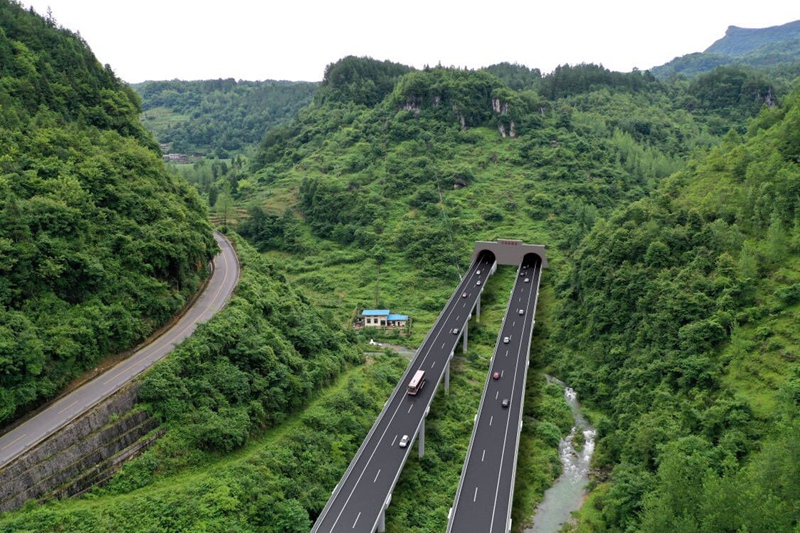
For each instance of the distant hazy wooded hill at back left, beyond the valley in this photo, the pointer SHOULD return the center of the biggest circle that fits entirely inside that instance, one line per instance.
(218, 118)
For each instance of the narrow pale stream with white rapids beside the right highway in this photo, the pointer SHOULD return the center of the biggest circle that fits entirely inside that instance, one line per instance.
(567, 493)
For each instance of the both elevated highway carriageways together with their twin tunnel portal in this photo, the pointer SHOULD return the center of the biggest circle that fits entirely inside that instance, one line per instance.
(485, 492)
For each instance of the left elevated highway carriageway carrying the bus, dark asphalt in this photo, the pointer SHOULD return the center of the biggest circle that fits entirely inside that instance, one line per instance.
(360, 496)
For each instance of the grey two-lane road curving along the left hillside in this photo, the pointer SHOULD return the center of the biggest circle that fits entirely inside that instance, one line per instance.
(220, 286)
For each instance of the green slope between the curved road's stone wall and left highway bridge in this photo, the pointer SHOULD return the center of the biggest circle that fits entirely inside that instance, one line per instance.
(242, 374)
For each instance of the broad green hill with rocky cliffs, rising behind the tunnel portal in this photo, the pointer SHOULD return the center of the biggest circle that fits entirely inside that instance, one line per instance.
(375, 177)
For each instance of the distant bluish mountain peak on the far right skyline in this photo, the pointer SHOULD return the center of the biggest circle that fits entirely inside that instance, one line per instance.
(777, 47)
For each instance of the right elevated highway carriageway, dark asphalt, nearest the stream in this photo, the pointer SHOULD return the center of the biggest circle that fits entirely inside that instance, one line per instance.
(483, 499)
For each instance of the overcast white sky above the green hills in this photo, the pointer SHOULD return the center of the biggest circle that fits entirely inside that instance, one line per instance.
(295, 39)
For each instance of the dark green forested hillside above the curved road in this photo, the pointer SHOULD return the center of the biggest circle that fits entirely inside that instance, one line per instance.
(99, 245)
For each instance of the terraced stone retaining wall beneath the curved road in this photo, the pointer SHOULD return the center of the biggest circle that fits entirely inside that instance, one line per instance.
(85, 452)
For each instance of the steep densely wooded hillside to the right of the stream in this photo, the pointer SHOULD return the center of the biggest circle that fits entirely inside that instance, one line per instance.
(675, 320)
